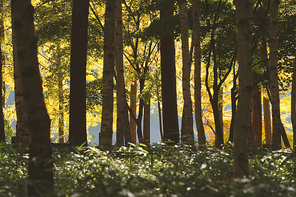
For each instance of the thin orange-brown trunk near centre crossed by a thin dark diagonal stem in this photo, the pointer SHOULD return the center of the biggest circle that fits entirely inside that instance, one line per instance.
(133, 105)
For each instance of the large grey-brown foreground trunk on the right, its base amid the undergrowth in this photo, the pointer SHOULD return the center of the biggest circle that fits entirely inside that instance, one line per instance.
(244, 15)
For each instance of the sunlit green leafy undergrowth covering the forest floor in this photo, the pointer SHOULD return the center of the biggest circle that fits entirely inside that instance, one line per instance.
(160, 171)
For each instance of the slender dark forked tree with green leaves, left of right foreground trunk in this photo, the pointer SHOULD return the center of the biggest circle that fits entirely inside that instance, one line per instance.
(218, 63)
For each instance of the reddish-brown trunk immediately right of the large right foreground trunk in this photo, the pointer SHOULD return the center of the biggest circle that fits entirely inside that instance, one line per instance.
(257, 117)
